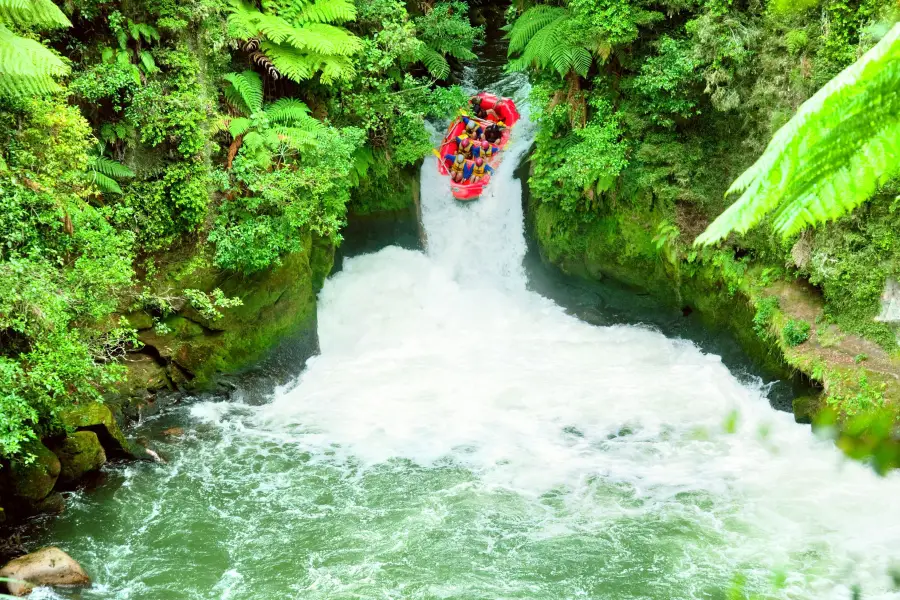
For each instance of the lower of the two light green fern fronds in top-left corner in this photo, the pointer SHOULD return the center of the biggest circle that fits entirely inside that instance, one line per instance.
(27, 67)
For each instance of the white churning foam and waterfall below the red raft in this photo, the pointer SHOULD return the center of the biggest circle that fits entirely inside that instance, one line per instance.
(445, 358)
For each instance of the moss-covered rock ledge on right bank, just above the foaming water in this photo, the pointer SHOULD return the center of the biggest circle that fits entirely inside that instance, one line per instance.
(769, 316)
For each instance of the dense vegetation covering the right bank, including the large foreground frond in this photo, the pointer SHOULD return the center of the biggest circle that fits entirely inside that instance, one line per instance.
(650, 111)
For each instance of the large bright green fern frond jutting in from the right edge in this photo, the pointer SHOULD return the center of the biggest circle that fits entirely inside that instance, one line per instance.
(842, 144)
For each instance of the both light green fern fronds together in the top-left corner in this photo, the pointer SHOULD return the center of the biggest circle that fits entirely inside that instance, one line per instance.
(26, 66)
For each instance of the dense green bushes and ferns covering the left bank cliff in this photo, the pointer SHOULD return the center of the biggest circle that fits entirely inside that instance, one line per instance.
(225, 129)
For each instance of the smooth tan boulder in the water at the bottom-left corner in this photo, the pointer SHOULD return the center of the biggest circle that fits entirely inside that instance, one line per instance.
(47, 566)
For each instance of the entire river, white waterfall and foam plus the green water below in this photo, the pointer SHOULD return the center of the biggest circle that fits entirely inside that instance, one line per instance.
(461, 437)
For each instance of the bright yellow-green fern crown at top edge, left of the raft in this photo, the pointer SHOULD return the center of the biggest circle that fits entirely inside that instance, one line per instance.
(297, 39)
